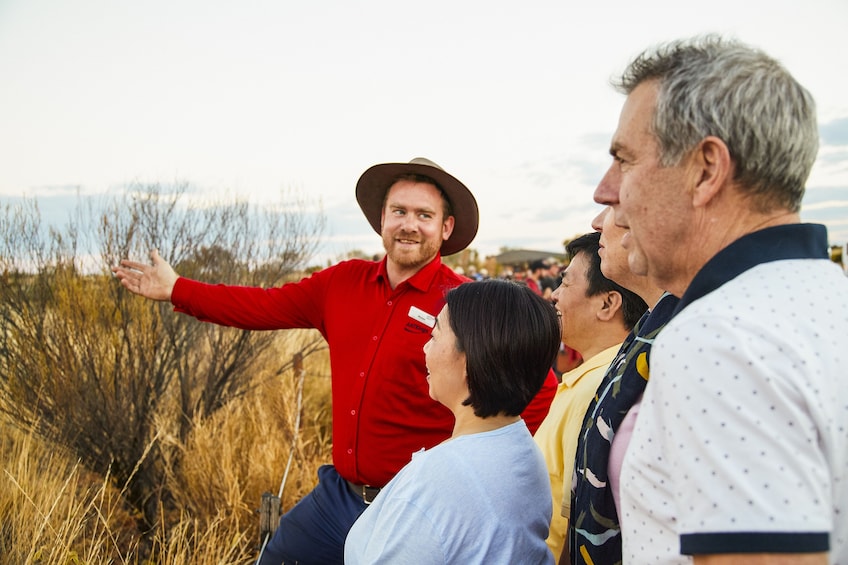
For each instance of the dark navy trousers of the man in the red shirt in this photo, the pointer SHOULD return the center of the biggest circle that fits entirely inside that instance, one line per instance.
(313, 532)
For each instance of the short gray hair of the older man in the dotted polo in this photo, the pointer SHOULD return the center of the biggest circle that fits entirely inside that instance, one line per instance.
(709, 86)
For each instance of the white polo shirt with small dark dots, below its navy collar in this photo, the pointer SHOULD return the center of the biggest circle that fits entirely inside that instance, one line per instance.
(741, 444)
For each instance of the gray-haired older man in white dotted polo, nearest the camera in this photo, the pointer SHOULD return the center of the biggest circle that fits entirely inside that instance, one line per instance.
(740, 450)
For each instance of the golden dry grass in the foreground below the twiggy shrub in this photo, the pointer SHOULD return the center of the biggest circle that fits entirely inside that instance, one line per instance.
(56, 512)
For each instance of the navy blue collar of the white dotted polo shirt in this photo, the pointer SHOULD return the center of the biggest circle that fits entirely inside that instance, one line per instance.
(778, 243)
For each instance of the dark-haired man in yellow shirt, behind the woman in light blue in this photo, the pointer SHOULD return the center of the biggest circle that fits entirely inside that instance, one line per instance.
(597, 314)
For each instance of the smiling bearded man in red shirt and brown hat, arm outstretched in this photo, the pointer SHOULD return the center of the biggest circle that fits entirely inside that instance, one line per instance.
(376, 317)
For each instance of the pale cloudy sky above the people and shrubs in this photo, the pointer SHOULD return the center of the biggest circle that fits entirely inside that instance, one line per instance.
(254, 97)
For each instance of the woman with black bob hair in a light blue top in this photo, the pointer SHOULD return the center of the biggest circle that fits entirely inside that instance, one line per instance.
(483, 495)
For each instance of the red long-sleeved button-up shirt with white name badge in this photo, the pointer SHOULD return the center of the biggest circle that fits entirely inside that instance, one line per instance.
(382, 411)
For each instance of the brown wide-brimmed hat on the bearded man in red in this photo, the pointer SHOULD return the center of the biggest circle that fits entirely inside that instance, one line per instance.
(375, 182)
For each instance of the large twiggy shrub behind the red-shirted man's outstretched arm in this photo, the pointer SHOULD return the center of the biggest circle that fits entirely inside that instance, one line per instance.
(106, 374)
